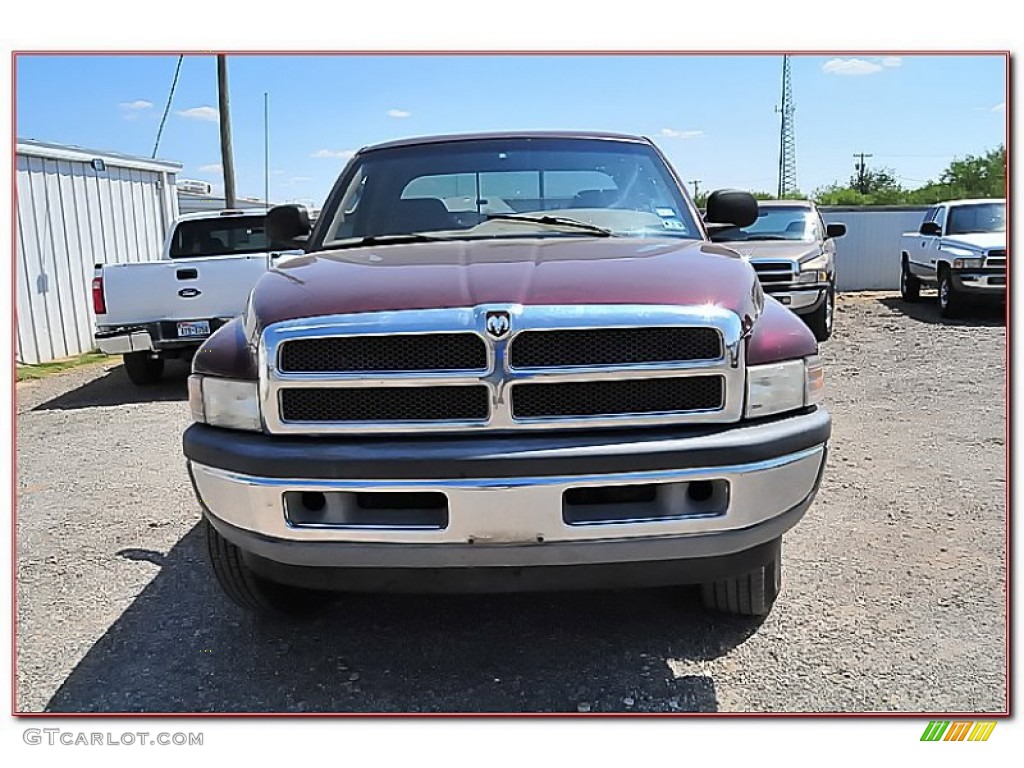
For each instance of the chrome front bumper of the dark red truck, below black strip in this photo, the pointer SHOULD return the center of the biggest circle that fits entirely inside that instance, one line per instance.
(515, 522)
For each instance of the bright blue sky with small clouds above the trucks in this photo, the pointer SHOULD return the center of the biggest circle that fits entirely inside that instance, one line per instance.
(713, 116)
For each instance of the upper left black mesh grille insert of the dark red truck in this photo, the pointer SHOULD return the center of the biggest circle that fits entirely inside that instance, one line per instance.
(395, 353)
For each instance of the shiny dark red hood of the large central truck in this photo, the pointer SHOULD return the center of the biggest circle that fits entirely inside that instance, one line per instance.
(553, 271)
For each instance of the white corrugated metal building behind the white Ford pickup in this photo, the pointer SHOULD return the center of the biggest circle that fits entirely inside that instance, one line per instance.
(77, 208)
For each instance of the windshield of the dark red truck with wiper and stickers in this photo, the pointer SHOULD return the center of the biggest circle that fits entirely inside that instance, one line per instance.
(514, 188)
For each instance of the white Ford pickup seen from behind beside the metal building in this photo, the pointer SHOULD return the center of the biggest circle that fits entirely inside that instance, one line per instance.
(149, 312)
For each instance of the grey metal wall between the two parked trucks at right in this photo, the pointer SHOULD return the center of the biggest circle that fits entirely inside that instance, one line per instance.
(868, 258)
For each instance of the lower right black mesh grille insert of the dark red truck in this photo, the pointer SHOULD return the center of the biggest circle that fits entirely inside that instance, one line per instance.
(616, 398)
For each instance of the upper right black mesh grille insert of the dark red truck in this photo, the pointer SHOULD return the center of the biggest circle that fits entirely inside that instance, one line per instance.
(614, 347)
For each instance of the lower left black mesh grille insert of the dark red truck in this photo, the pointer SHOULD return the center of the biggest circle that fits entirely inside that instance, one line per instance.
(386, 404)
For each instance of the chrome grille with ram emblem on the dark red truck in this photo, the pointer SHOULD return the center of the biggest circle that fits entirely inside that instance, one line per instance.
(443, 370)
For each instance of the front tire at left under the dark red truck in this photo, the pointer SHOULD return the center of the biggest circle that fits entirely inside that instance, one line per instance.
(253, 593)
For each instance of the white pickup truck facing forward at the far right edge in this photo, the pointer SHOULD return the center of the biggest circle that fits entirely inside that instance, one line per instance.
(961, 248)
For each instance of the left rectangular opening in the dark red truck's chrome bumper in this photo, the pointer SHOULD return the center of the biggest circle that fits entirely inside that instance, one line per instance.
(340, 509)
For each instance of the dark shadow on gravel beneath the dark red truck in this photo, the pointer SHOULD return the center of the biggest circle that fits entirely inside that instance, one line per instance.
(182, 647)
